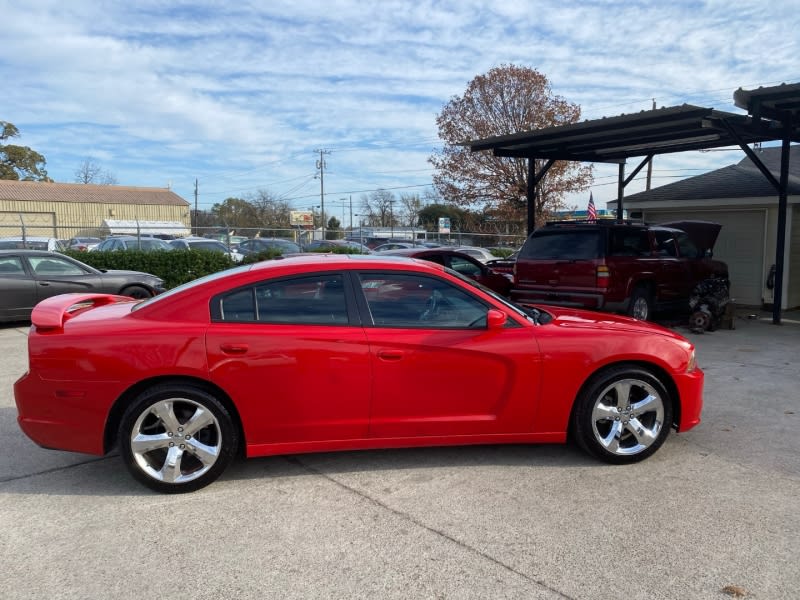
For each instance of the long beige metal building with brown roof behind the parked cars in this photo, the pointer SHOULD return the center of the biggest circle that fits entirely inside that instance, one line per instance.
(65, 210)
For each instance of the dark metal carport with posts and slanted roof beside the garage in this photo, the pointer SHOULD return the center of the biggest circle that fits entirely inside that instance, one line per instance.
(773, 114)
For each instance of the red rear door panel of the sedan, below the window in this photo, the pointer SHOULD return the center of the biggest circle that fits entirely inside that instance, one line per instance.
(293, 383)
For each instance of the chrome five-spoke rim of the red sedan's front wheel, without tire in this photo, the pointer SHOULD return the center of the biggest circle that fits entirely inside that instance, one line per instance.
(627, 417)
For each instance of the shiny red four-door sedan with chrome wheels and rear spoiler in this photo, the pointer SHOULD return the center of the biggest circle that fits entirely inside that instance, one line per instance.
(331, 352)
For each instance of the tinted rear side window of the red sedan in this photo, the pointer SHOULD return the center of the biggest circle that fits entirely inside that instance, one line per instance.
(317, 300)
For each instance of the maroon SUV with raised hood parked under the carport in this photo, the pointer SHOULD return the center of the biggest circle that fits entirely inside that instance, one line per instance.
(623, 267)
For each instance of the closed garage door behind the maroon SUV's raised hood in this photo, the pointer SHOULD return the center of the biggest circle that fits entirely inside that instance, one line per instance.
(740, 244)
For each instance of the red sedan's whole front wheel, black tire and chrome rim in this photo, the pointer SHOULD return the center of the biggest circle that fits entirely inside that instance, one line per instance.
(622, 415)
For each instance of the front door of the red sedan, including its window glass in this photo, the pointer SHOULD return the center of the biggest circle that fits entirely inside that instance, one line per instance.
(437, 370)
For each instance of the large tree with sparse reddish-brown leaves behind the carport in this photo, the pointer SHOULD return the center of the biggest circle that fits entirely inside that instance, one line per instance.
(508, 99)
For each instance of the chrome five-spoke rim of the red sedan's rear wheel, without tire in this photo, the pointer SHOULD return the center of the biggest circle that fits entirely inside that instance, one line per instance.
(176, 440)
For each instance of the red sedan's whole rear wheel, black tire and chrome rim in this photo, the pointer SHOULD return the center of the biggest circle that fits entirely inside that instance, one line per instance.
(177, 438)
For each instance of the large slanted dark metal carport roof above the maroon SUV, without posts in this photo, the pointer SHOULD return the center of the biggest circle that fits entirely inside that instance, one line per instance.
(614, 139)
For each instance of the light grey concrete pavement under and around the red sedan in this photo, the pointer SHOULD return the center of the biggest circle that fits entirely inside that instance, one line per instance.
(713, 512)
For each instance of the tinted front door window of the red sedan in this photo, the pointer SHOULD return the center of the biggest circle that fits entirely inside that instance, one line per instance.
(400, 300)
